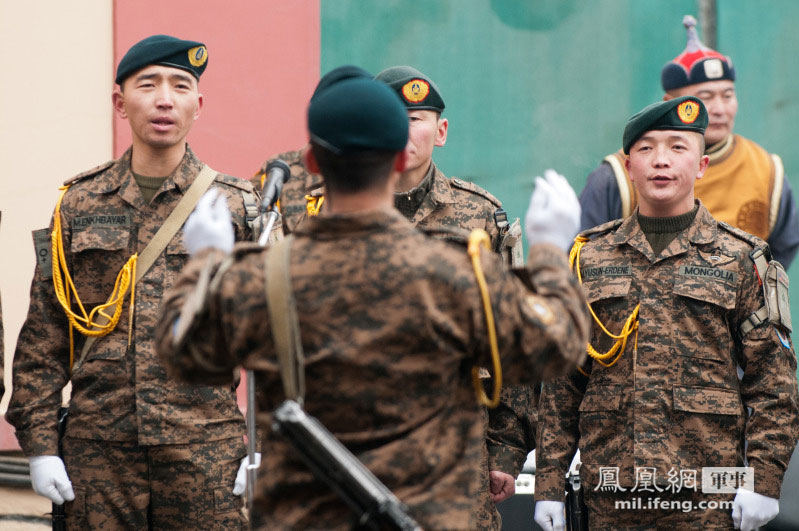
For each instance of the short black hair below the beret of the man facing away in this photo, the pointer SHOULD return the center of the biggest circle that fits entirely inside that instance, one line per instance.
(353, 171)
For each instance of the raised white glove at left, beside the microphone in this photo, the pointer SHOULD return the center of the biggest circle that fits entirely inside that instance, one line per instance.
(210, 225)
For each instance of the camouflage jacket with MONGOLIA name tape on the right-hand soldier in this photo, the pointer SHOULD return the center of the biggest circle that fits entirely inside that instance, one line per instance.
(676, 400)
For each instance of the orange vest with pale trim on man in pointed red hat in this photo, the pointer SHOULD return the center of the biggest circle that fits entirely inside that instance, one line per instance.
(742, 185)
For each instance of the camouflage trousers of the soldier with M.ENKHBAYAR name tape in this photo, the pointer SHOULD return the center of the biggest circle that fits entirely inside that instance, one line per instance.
(126, 486)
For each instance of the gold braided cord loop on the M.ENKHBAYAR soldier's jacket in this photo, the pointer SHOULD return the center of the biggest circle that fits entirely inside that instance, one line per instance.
(87, 324)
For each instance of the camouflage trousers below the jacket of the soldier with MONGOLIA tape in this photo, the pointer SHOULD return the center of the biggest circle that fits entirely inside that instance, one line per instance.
(644, 511)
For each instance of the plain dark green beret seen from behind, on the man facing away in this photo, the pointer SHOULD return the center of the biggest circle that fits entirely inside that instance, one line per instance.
(358, 114)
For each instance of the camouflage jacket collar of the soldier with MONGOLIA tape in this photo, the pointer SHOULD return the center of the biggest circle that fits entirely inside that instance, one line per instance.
(702, 230)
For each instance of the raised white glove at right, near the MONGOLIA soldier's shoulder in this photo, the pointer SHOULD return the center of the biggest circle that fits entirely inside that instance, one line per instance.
(554, 212)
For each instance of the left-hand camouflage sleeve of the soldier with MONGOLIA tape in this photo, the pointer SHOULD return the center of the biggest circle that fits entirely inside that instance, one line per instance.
(558, 416)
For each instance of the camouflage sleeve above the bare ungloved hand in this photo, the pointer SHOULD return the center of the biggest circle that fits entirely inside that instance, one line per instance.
(512, 428)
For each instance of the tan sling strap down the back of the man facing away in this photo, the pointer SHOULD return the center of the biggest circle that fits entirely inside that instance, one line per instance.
(283, 319)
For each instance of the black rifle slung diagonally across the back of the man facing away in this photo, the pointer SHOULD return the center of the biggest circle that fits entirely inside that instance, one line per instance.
(331, 462)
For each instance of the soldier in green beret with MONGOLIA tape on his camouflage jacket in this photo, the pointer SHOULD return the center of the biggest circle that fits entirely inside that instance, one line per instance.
(705, 362)
